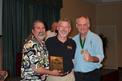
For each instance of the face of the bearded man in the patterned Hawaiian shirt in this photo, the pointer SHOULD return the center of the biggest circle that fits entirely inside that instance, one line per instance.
(39, 30)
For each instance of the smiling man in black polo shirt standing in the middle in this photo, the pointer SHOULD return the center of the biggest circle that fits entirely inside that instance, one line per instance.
(62, 46)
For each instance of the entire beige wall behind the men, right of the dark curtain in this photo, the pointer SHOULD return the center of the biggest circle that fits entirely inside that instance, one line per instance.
(106, 15)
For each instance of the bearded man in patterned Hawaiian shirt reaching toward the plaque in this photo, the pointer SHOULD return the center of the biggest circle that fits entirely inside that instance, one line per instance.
(34, 66)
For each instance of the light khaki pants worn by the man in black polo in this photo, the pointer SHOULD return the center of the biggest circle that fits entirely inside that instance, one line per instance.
(68, 77)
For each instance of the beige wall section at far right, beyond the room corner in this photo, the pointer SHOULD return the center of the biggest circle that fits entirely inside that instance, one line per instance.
(109, 14)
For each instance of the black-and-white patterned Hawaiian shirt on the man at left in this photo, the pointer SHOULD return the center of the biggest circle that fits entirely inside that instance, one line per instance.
(35, 55)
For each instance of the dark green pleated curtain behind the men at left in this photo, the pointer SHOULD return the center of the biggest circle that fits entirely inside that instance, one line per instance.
(17, 18)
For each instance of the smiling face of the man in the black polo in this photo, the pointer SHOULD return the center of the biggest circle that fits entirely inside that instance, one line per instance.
(63, 28)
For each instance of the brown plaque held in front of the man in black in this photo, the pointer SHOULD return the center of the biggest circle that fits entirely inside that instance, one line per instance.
(56, 63)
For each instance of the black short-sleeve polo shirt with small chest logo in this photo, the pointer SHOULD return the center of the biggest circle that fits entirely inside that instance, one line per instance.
(65, 50)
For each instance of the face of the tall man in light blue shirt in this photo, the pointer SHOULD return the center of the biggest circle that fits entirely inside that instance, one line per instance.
(83, 25)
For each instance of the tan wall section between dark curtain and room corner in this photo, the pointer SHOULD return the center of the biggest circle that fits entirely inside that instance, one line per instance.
(75, 8)
